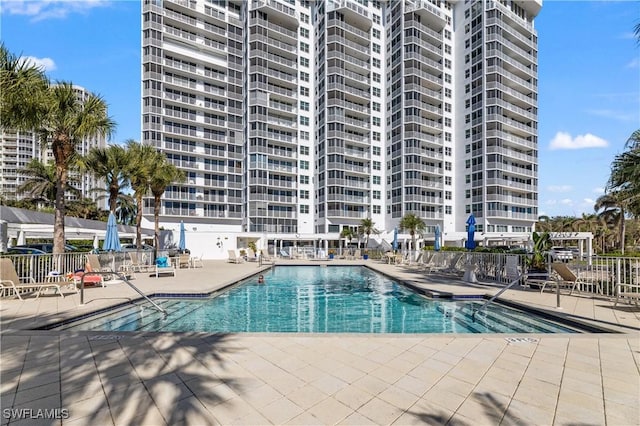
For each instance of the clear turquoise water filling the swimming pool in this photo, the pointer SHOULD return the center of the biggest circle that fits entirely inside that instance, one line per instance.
(315, 299)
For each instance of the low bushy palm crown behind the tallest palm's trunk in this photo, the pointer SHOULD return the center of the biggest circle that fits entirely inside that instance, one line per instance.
(40, 185)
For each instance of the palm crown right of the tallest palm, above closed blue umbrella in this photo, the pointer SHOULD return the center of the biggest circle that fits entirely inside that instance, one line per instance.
(110, 164)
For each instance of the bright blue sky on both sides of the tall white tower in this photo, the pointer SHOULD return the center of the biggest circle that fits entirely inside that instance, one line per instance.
(589, 79)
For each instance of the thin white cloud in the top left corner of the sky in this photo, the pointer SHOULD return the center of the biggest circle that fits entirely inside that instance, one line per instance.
(49, 9)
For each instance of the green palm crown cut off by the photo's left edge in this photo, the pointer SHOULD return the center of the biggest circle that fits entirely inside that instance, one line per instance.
(23, 92)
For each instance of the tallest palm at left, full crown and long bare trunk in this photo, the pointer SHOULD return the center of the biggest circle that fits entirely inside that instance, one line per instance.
(67, 122)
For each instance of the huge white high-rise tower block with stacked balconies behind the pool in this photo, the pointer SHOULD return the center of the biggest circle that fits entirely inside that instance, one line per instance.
(305, 117)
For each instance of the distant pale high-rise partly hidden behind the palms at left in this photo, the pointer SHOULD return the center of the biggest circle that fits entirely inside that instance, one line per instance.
(19, 148)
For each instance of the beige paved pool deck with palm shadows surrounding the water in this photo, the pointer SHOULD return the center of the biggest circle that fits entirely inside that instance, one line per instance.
(100, 378)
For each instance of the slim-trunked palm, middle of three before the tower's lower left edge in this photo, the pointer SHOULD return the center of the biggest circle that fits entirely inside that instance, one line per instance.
(142, 160)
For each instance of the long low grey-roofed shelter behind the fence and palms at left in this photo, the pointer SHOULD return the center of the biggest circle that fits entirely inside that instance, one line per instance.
(21, 224)
